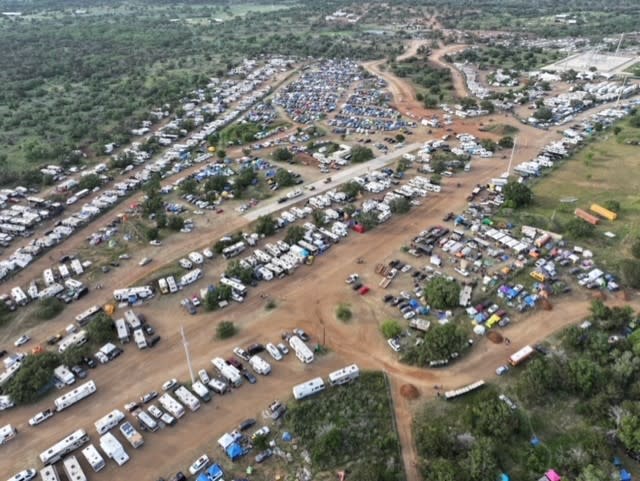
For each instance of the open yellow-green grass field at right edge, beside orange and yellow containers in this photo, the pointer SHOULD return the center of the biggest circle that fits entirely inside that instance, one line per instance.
(603, 170)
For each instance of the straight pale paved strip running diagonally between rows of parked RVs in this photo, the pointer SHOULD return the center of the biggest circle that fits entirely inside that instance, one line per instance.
(337, 179)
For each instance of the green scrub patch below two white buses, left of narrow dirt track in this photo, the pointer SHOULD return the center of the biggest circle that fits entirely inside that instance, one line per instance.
(350, 427)
